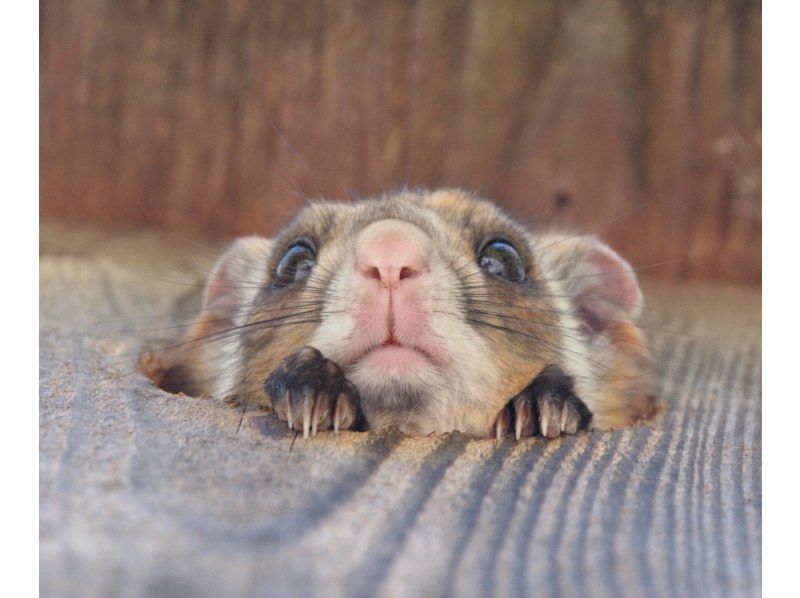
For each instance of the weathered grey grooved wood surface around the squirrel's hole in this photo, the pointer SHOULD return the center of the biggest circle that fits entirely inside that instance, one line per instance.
(145, 493)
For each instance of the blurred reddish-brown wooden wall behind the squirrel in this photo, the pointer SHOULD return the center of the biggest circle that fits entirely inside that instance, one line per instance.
(215, 116)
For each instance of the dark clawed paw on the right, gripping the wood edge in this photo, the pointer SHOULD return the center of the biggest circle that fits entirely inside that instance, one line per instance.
(548, 406)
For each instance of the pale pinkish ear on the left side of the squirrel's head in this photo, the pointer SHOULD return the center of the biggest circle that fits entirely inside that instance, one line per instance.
(236, 278)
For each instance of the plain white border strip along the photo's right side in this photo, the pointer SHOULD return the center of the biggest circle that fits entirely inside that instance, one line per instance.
(781, 295)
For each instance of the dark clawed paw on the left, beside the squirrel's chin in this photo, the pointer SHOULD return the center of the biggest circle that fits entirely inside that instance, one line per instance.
(311, 394)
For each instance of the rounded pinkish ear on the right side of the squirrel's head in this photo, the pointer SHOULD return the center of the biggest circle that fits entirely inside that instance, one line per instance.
(602, 284)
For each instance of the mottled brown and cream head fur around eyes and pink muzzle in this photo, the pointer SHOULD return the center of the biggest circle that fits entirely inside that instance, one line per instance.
(576, 309)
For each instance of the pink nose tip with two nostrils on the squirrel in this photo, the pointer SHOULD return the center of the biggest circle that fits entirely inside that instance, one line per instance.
(391, 251)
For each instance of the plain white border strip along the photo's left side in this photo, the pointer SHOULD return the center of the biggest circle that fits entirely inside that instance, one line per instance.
(19, 156)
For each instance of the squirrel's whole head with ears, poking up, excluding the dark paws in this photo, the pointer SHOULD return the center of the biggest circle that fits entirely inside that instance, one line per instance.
(435, 305)
